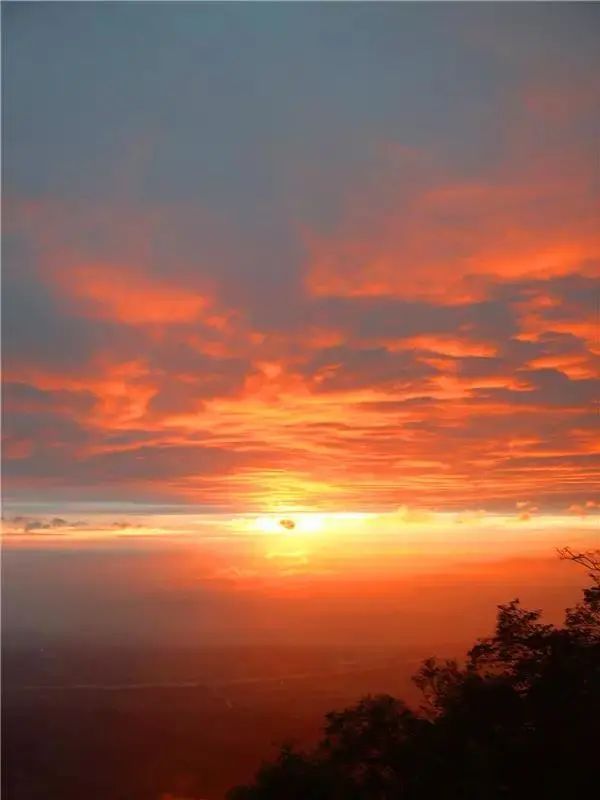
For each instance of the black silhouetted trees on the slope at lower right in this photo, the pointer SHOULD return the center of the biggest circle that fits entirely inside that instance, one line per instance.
(520, 719)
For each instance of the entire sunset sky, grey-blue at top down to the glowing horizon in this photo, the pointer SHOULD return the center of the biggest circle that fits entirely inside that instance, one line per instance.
(333, 261)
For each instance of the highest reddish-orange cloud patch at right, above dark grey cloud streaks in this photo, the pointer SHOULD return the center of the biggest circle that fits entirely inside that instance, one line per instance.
(446, 240)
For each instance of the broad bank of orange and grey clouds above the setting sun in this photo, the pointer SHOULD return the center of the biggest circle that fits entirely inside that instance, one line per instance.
(388, 382)
